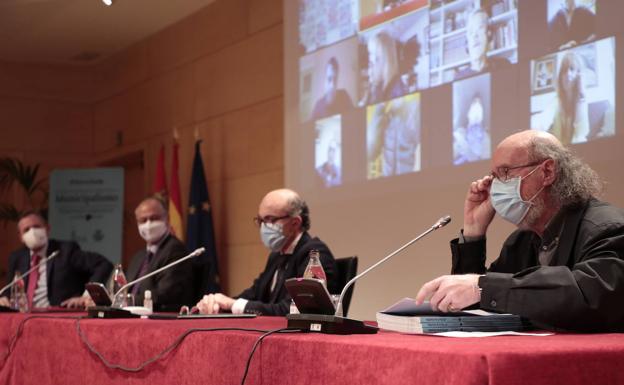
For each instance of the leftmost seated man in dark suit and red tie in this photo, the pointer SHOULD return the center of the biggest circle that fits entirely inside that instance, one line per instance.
(60, 281)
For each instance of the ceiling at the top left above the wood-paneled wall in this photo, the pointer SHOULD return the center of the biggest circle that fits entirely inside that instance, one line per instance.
(82, 31)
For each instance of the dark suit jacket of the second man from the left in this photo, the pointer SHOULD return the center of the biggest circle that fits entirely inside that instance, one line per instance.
(173, 287)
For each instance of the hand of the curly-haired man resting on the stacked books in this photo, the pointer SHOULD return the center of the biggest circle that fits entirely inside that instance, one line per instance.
(450, 293)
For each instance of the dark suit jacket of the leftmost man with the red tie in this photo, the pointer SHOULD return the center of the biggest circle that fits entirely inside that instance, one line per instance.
(67, 272)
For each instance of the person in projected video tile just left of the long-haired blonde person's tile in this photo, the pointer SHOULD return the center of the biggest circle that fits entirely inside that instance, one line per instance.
(334, 100)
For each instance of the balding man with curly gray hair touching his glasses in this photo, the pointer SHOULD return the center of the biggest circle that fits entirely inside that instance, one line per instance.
(563, 267)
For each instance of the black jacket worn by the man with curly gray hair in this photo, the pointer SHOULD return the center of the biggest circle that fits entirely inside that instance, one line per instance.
(581, 289)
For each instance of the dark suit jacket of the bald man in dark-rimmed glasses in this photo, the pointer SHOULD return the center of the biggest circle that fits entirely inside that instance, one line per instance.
(261, 301)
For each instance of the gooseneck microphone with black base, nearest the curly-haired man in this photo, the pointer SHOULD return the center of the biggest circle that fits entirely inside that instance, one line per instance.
(337, 324)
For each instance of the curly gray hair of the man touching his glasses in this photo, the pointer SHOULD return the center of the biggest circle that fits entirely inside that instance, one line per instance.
(576, 182)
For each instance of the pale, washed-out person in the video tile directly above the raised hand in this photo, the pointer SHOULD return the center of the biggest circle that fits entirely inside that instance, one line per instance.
(472, 141)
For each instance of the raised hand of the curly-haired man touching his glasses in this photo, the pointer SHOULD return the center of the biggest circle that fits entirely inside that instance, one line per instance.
(478, 210)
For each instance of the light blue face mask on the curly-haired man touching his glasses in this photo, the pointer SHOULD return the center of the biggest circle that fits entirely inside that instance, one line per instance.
(507, 201)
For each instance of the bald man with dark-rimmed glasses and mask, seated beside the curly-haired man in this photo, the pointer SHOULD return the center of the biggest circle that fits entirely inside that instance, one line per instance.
(284, 220)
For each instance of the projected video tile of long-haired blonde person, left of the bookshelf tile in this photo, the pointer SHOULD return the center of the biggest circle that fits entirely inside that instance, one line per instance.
(393, 59)
